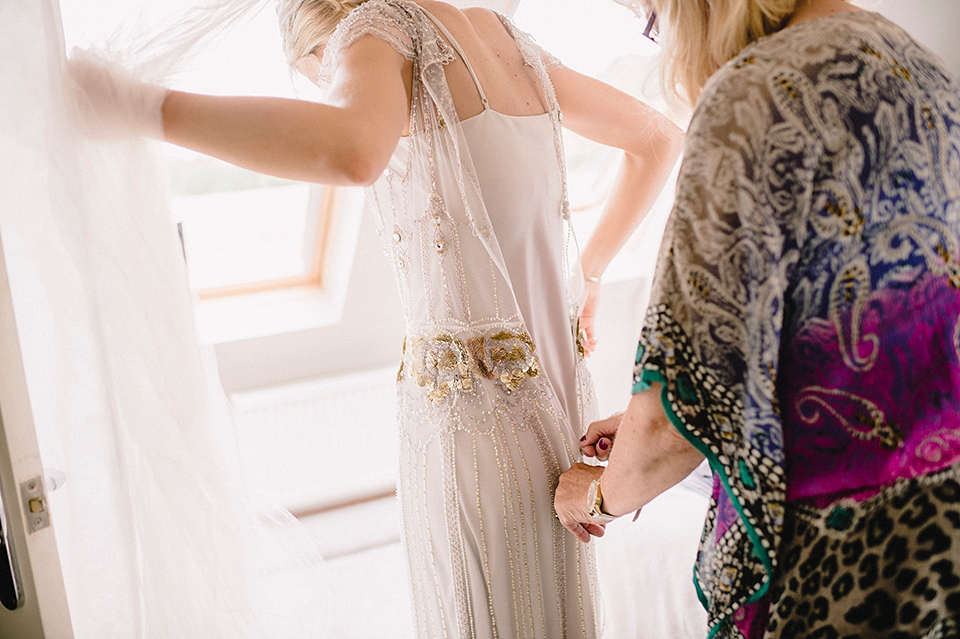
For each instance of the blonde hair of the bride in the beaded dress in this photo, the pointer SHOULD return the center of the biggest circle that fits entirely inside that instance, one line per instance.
(308, 24)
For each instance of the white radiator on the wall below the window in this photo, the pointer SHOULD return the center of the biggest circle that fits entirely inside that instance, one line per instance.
(317, 442)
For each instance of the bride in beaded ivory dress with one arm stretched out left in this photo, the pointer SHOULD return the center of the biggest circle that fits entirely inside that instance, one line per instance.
(452, 119)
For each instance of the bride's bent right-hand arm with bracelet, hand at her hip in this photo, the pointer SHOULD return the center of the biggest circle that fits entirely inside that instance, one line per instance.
(651, 145)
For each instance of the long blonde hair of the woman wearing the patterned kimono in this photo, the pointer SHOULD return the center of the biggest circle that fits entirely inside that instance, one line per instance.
(704, 34)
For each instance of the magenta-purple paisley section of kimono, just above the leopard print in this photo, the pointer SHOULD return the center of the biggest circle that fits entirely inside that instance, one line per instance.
(855, 431)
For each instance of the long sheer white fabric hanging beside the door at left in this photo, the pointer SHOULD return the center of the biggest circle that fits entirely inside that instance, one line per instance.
(158, 536)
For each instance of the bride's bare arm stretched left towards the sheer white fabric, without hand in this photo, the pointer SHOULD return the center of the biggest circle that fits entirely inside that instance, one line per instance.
(347, 140)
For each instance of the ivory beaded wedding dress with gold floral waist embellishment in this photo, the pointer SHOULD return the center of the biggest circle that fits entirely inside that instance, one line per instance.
(492, 392)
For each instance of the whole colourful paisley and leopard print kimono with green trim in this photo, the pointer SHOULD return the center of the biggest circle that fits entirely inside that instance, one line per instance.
(805, 324)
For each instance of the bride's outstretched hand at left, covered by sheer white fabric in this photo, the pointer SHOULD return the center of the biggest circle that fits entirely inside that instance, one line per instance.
(112, 102)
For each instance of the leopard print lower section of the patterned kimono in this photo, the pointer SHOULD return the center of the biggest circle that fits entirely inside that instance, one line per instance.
(887, 566)
